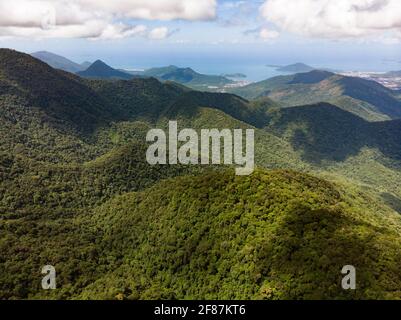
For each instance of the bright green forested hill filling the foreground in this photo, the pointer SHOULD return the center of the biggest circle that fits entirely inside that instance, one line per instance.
(272, 235)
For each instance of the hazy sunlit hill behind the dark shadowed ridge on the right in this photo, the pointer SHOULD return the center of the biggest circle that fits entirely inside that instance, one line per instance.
(367, 99)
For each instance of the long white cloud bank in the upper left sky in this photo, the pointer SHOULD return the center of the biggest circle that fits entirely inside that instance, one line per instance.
(96, 19)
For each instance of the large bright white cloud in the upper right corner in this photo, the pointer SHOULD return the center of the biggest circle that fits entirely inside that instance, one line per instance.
(335, 19)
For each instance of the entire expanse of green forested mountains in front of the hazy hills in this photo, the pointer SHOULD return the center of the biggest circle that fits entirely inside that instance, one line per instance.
(76, 192)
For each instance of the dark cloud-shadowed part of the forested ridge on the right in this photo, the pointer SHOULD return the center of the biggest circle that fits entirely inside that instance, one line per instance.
(303, 126)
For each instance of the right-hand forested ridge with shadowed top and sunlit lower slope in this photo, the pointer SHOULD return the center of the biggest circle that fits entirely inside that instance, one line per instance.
(362, 152)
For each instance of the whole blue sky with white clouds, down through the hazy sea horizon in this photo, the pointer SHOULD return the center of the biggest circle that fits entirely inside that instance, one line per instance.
(208, 34)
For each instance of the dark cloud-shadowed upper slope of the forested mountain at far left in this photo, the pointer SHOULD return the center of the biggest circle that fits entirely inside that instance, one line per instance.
(32, 91)
